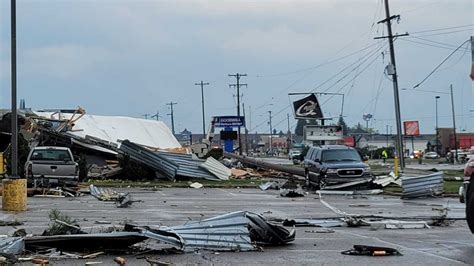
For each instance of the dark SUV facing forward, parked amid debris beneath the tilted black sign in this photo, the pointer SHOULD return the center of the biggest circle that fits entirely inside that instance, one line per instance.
(334, 164)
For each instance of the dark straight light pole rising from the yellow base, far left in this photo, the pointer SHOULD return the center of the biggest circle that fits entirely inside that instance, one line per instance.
(14, 122)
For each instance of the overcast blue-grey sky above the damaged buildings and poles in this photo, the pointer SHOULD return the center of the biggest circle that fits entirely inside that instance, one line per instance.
(132, 57)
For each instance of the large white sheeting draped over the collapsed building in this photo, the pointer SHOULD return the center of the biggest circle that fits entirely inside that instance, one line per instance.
(113, 129)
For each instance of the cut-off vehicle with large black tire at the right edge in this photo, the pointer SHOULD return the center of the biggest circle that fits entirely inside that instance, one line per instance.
(467, 193)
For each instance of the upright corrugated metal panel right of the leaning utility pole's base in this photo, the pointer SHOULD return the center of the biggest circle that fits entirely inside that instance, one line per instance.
(422, 186)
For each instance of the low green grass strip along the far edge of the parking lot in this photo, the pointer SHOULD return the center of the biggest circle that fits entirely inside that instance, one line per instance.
(231, 183)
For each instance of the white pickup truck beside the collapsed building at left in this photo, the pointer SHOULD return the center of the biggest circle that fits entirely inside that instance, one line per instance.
(50, 165)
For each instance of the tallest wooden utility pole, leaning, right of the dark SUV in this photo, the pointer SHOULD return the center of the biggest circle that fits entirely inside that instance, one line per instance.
(393, 71)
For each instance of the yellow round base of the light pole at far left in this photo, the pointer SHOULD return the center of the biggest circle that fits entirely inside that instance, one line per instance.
(14, 195)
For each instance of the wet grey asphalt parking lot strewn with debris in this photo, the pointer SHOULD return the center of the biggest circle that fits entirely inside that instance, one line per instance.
(451, 245)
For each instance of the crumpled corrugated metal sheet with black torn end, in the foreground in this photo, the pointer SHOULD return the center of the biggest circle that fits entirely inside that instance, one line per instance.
(236, 231)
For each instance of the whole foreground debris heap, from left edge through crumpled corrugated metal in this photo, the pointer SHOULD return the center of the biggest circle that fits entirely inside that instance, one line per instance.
(237, 231)
